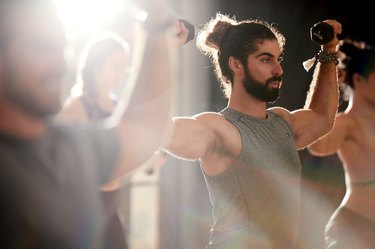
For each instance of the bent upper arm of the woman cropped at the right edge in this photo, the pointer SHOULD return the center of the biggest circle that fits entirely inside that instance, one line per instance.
(330, 143)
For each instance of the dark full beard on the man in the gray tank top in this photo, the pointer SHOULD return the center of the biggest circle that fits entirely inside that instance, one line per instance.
(261, 91)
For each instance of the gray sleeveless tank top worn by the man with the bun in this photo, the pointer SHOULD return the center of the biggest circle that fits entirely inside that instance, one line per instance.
(256, 202)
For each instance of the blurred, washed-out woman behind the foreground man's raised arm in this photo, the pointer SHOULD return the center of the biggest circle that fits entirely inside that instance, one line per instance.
(102, 71)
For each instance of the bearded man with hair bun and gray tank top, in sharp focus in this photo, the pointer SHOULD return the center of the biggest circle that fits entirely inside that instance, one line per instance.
(249, 154)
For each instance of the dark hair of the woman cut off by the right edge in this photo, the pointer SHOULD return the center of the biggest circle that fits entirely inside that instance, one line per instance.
(358, 58)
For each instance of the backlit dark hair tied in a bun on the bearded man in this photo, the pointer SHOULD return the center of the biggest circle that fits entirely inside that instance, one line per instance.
(223, 37)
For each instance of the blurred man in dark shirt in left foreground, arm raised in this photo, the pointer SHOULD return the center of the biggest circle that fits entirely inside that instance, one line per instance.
(51, 171)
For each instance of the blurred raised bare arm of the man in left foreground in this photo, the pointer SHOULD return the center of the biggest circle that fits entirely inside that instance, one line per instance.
(145, 124)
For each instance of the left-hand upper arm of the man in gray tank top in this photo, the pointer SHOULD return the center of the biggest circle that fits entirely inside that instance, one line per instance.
(192, 138)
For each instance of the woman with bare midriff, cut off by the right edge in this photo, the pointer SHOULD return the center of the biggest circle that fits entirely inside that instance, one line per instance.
(352, 225)
